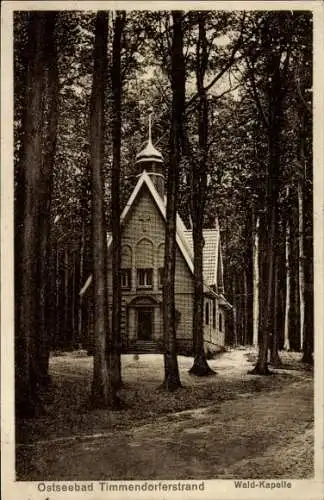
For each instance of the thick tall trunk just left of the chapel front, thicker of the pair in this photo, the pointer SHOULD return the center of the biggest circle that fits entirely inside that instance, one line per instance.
(103, 392)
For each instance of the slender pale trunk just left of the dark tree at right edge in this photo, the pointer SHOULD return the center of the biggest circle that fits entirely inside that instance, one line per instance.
(301, 278)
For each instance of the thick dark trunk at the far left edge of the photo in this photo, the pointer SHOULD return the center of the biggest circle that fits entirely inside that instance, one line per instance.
(27, 367)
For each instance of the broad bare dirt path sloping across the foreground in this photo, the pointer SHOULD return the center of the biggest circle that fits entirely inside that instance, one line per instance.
(266, 434)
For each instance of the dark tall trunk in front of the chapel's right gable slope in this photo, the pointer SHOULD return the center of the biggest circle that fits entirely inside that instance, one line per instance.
(171, 370)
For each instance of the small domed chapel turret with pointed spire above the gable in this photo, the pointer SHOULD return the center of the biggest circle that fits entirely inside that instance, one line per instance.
(151, 160)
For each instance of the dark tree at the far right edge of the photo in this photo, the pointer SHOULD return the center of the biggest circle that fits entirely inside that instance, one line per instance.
(302, 79)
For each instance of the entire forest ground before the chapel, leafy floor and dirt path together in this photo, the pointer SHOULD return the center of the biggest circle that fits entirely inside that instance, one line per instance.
(224, 426)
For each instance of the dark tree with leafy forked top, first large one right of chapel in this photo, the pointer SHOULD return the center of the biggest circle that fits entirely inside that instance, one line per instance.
(274, 74)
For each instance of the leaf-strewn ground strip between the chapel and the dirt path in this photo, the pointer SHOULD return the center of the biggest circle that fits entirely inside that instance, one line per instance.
(67, 402)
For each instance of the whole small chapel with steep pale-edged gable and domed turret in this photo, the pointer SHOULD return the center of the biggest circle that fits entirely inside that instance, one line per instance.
(142, 260)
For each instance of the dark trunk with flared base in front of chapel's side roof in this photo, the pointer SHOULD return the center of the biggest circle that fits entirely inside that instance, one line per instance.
(198, 195)
